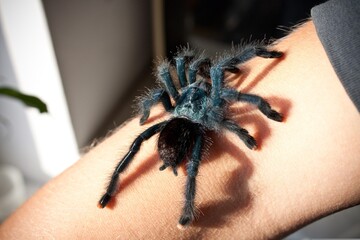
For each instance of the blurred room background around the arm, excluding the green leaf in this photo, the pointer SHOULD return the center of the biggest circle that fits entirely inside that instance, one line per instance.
(89, 59)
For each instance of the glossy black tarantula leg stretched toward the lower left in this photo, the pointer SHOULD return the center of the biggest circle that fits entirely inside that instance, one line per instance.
(134, 148)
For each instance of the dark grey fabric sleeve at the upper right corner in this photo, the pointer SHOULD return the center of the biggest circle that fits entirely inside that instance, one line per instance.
(337, 23)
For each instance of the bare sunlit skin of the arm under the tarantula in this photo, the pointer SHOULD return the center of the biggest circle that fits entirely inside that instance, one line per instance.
(305, 168)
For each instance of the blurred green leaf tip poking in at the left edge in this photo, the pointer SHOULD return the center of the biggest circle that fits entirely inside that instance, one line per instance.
(28, 100)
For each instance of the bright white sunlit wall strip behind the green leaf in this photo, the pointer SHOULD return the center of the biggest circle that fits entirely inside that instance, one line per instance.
(40, 145)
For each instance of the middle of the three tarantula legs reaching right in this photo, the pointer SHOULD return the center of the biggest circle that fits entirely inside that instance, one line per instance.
(262, 104)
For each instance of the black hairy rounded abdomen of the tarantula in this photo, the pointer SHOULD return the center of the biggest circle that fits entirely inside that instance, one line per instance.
(176, 141)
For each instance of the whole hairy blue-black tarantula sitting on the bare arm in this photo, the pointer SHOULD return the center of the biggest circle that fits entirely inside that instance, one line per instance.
(200, 105)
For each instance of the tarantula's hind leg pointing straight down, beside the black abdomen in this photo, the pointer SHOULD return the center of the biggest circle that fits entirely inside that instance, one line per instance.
(188, 212)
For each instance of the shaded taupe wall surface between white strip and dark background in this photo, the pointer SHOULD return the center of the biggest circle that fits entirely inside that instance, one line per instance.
(102, 47)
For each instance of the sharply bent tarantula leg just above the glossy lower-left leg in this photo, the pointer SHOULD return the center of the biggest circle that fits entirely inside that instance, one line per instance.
(155, 96)
